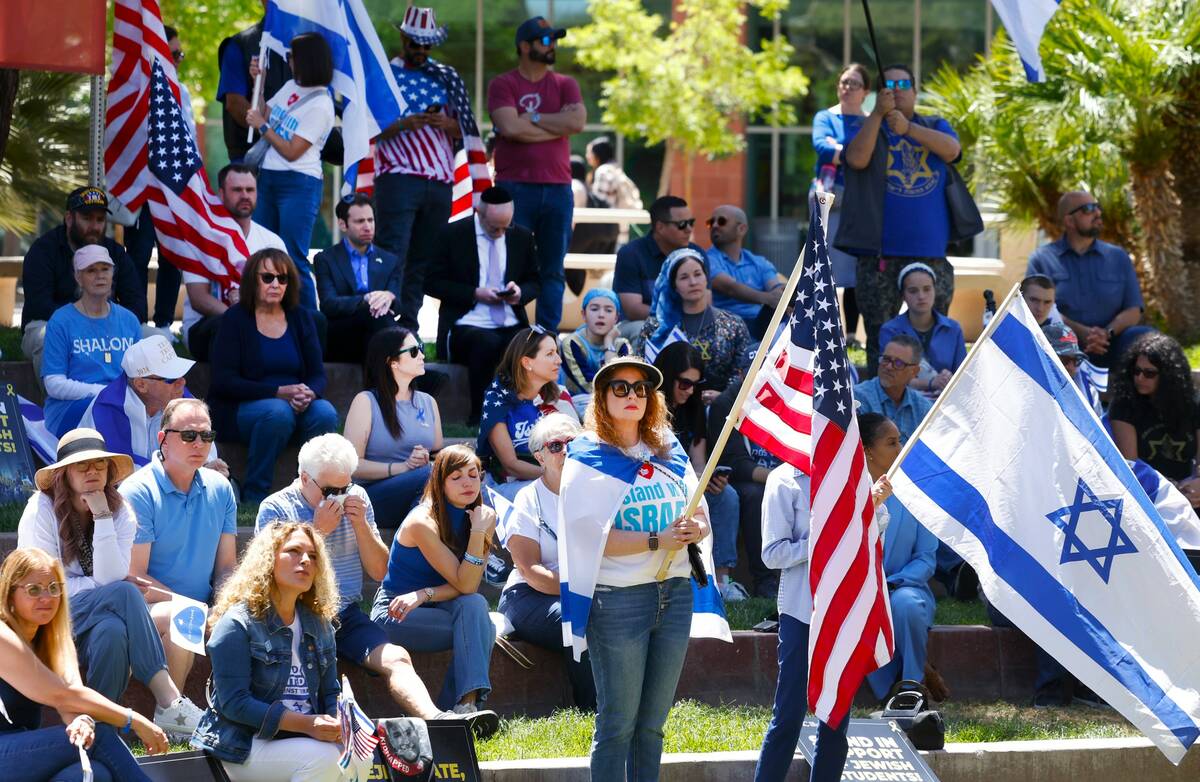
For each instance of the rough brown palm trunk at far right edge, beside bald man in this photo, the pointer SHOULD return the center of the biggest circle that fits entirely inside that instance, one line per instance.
(1169, 284)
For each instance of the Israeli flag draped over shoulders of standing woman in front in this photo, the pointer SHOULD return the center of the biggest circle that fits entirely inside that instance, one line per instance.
(596, 480)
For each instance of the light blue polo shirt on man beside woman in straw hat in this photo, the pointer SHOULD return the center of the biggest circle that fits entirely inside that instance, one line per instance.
(184, 530)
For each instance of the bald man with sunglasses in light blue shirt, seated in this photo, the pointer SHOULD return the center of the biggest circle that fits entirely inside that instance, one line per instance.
(743, 284)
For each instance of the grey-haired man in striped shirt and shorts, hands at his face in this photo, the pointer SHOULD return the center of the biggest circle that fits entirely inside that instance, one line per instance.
(326, 497)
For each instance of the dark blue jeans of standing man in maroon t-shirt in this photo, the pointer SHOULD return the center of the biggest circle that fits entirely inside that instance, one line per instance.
(547, 210)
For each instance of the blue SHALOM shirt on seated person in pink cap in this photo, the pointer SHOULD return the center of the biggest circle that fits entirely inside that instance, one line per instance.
(86, 350)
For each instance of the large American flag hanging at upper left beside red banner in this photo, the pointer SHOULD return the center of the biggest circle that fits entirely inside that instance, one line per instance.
(152, 157)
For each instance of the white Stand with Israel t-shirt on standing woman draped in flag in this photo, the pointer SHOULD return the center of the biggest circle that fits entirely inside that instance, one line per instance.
(656, 501)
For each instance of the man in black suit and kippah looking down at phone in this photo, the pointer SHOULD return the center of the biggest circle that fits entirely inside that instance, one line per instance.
(485, 276)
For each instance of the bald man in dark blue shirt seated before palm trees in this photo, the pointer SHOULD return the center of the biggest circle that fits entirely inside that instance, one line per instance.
(1096, 287)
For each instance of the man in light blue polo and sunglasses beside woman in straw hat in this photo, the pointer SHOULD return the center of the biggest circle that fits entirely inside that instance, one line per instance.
(188, 522)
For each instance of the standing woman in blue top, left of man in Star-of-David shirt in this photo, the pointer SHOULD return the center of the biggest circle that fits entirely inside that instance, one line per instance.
(832, 130)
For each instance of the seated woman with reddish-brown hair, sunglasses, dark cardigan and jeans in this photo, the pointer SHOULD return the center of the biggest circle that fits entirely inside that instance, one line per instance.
(268, 374)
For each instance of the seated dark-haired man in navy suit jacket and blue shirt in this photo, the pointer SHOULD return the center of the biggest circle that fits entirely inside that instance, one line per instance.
(358, 284)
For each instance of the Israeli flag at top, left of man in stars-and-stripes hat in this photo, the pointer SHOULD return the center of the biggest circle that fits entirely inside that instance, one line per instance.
(362, 74)
